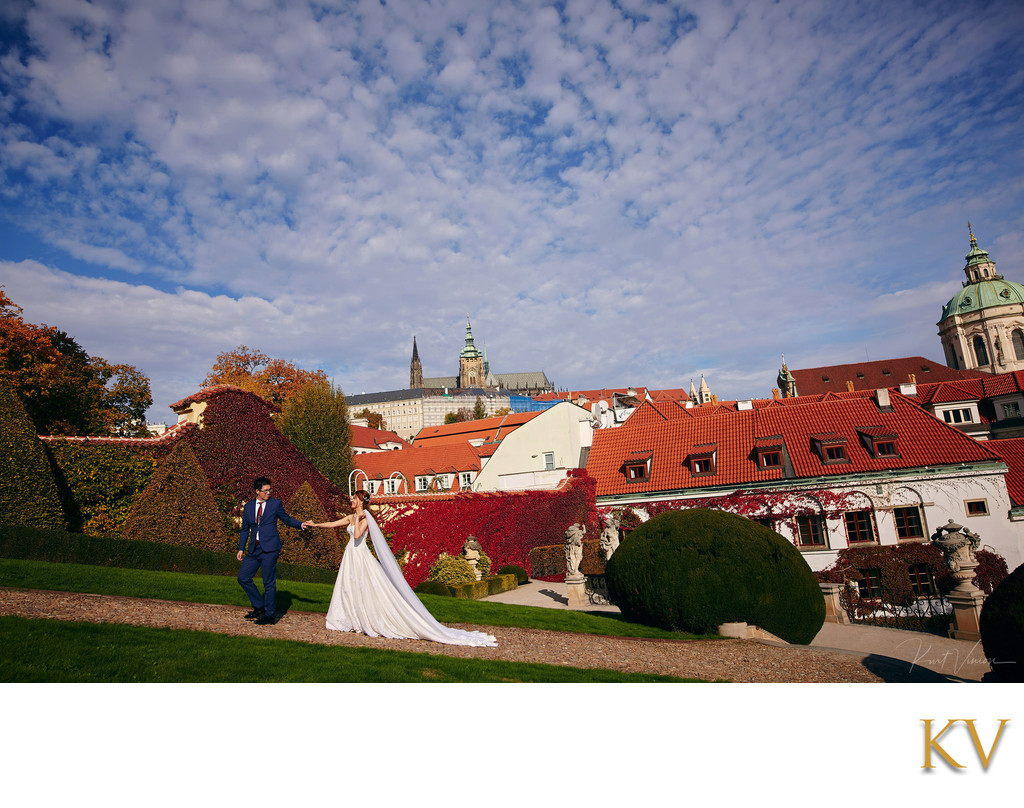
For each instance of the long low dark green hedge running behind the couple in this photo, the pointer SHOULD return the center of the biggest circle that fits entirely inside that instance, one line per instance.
(35, 544)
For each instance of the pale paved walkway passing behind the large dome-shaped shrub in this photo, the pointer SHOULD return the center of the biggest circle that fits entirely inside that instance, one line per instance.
(895, 655)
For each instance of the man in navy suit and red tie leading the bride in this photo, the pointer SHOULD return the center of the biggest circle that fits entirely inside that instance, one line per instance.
(260, 523)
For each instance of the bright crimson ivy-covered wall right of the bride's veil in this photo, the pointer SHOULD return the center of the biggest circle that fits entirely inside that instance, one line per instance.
(508, 526)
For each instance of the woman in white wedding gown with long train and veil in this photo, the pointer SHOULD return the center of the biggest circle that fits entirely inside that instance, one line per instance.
(374, 599)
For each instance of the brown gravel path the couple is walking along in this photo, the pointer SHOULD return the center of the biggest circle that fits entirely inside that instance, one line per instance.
(734, 660)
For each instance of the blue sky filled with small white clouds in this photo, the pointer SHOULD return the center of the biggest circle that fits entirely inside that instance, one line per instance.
(618, 193)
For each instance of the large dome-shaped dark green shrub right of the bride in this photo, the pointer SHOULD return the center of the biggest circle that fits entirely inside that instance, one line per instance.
(693, 571)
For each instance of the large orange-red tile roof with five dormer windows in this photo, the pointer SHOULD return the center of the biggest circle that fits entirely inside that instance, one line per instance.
(923, 441)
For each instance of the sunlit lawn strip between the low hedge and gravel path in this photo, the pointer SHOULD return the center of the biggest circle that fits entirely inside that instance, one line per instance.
(304, 598)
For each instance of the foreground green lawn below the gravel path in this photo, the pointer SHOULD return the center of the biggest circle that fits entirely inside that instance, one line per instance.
(48, 651)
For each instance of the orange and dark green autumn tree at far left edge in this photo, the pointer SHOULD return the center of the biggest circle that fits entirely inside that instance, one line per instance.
(65, 391)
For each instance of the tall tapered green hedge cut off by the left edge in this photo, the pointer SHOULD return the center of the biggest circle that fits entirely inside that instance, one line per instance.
(28, 490)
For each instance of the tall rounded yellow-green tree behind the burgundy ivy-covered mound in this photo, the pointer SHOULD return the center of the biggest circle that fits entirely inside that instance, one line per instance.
(316, 421)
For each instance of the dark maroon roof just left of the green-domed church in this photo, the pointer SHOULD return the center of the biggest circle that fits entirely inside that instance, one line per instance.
(873, 375)
